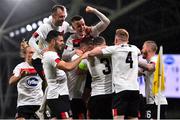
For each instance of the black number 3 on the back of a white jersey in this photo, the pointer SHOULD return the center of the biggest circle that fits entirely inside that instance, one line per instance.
(105, 61)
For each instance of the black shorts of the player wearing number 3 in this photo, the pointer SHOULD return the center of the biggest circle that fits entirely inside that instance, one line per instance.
(100, 107)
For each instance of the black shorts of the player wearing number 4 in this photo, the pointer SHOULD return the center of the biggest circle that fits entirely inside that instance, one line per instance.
(126, 103)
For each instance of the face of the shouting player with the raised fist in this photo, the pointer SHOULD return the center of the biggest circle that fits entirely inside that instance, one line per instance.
(79, 27)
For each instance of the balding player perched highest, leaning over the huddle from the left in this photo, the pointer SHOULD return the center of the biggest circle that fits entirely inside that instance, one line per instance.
(37, 41)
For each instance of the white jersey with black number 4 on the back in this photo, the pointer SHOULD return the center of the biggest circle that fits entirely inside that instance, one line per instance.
(124, 66)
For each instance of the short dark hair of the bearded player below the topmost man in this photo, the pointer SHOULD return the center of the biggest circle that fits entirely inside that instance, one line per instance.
(53, 34)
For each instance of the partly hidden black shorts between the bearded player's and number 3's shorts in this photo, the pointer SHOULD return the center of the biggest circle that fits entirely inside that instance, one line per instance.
(78, 108)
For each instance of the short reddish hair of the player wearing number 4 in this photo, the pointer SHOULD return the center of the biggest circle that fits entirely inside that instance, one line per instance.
(123, 34)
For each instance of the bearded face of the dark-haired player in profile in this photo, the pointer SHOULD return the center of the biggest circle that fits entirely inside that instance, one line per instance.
(59, 43)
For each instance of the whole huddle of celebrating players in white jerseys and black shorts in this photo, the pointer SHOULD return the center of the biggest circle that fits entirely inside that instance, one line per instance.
(70, 73)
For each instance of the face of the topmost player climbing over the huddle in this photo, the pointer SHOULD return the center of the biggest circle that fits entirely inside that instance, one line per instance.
(59, 17)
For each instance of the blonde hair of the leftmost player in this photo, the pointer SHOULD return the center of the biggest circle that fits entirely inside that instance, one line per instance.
(23, 46)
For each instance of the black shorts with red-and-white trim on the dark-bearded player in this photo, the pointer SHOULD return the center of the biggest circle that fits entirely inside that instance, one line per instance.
(60, 107)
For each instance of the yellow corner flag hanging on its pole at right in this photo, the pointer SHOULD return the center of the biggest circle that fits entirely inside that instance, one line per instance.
(159, 79)
